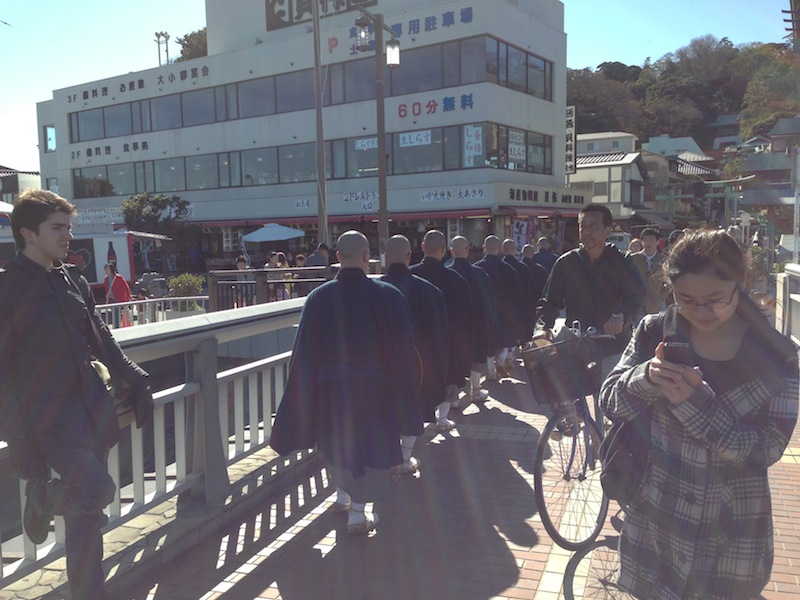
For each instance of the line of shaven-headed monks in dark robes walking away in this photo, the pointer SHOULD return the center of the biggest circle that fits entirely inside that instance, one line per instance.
(376, 359)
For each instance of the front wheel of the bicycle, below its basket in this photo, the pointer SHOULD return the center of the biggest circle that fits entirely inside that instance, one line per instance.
(568, 493)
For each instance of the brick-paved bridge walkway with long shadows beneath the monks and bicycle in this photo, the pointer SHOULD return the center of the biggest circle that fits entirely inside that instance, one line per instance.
(467, 528)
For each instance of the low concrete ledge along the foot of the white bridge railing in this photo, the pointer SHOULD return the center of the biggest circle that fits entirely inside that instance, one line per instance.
(153, 539)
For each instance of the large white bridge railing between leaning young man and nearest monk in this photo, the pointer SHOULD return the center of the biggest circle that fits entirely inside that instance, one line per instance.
(153, 466)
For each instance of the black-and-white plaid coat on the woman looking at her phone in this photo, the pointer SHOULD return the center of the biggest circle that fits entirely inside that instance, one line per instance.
(701, 526)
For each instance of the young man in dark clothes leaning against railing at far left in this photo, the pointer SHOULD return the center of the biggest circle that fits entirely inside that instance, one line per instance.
(55, 411)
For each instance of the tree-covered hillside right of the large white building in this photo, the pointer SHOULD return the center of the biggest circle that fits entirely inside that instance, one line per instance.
(684, 91)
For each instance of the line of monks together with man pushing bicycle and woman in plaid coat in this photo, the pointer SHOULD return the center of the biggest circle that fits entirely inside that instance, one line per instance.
(376, 359)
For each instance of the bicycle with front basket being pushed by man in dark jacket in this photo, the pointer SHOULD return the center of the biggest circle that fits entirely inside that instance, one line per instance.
(566, 473)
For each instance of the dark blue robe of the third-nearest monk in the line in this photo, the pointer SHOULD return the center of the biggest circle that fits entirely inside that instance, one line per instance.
(459, 315)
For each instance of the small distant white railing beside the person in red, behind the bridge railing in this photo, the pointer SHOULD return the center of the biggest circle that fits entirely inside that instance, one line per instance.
(154, 310)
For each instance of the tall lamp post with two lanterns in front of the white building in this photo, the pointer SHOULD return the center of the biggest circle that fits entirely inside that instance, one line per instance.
(392, 61)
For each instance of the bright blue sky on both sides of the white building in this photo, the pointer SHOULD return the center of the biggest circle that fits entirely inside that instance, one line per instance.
(48, 45)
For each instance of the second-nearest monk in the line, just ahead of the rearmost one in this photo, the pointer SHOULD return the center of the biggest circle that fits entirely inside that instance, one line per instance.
(430, 335)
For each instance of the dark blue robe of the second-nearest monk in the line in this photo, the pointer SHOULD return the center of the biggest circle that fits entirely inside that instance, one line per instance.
(430, 333)
